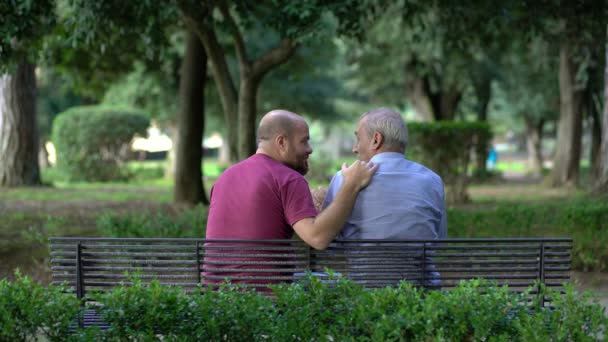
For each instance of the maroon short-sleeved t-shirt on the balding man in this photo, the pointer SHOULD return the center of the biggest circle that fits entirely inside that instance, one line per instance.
(258, 198)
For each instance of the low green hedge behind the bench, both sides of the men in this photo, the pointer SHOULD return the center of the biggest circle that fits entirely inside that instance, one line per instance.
(584, 220)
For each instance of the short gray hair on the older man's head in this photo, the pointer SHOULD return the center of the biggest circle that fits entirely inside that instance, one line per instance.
(390, 124)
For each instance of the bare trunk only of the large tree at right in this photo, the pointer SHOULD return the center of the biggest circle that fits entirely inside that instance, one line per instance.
(567, 155)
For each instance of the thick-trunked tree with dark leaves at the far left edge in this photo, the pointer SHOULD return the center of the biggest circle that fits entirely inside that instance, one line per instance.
(23, 25)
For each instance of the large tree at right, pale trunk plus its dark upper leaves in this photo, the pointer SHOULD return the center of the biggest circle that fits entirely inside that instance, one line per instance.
(576, 28)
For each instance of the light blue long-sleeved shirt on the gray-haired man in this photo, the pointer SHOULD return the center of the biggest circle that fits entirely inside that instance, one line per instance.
(404, 200)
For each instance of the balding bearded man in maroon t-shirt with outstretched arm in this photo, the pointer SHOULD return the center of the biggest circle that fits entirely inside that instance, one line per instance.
(267, 197)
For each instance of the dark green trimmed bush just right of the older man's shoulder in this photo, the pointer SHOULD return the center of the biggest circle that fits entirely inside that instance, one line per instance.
(446, 147)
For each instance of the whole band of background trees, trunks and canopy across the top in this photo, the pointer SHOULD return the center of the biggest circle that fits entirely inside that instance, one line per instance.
(533, 69)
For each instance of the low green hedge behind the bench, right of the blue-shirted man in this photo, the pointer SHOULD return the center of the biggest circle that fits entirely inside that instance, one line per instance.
(584, 220)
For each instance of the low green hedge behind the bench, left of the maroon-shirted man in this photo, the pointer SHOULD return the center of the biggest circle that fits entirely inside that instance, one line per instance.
(188, 223)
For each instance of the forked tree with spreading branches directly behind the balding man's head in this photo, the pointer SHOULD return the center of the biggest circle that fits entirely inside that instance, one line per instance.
(289, 23)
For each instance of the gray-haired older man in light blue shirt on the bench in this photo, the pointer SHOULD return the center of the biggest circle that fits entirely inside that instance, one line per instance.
(405, 200)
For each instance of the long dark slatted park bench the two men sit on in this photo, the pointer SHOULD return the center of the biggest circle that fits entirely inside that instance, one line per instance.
(85, 264)
